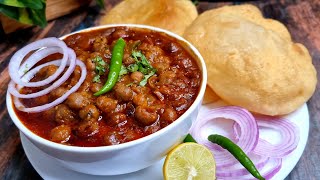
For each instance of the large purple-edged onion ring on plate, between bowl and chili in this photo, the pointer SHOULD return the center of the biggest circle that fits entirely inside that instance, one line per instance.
(247, 140)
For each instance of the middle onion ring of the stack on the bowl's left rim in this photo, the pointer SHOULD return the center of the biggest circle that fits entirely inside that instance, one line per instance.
(72, 63)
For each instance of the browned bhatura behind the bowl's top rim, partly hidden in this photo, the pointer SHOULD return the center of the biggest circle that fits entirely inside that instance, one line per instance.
(172, 15)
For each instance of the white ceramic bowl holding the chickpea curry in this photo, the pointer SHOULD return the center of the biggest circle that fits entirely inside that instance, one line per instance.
(127, 157)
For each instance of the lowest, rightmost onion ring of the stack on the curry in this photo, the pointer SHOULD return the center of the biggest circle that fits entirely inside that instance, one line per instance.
(59, 100)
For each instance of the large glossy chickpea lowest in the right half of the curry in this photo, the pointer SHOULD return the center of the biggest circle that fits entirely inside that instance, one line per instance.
(145, 115)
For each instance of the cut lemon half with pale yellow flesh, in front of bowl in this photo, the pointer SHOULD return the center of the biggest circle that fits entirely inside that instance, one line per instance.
(189, 161)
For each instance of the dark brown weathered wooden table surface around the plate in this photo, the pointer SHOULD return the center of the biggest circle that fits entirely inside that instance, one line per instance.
(302, 18)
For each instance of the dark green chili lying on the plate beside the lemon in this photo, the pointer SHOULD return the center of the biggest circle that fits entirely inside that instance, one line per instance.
(237, 152)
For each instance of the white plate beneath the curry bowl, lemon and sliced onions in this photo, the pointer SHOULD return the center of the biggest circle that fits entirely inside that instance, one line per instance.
(49, 169)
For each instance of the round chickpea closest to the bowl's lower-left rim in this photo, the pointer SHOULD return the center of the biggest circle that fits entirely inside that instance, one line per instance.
(60, 133)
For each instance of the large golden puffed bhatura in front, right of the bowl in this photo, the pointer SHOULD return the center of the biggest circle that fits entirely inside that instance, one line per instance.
(252, 61)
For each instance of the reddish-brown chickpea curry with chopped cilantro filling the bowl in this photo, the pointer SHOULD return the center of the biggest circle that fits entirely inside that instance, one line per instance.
(157, 82)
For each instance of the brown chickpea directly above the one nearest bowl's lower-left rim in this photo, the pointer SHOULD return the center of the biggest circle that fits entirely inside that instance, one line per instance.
(64, 115)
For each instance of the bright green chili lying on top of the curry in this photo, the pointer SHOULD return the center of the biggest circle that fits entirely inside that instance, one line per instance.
(115, 67)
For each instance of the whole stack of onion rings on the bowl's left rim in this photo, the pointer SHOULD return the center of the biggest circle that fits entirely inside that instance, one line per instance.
(22, 73)
